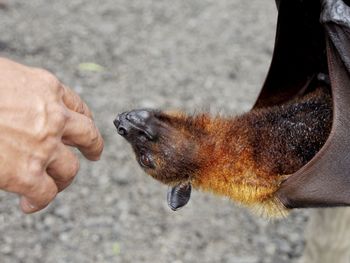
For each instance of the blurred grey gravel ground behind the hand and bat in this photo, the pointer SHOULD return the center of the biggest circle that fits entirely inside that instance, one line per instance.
(191, 55)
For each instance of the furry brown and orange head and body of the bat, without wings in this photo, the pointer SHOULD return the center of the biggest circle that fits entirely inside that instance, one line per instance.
(245, 157)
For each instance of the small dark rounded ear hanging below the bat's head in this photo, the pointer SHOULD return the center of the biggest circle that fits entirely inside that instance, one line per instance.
(178, 196)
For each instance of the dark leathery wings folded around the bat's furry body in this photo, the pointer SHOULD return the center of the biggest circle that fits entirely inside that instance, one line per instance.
(300, 55)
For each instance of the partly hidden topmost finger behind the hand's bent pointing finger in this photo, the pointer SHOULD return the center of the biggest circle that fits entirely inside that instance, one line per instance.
(74, 102)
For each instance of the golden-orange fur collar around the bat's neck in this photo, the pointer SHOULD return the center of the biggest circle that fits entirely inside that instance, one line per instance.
(227, 168)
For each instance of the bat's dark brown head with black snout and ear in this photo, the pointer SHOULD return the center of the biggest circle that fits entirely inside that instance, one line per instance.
(165, 146)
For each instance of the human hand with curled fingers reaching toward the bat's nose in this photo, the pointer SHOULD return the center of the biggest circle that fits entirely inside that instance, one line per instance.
(39, 117)
